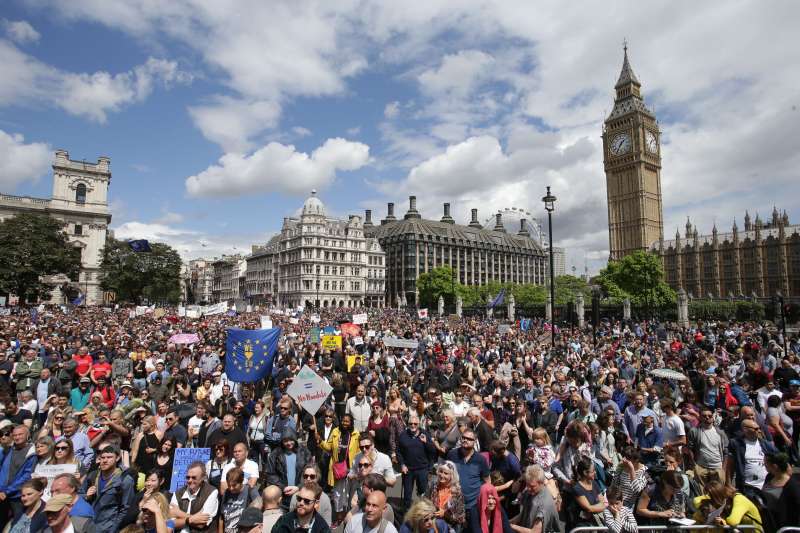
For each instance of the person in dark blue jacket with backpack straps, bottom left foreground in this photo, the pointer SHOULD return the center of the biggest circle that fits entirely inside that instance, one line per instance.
(109, 490)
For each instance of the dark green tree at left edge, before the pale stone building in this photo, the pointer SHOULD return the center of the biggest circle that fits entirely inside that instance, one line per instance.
(35, 246)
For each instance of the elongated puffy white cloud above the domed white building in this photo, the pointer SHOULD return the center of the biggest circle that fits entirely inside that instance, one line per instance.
(278, 168)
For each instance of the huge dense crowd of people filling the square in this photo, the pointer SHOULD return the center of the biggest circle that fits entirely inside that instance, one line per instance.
(483, 427)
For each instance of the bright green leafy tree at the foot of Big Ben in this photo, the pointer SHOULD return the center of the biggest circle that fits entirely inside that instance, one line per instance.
(638, 276)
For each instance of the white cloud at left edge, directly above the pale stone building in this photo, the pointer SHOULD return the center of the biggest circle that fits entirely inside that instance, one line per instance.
(21, 162)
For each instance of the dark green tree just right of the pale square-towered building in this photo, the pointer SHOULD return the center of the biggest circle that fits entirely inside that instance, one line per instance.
(136, 276)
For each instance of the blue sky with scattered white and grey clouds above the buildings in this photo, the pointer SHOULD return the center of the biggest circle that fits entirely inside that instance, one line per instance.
(219, 117)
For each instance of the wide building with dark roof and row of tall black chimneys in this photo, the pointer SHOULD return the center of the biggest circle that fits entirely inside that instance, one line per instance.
(476, 254)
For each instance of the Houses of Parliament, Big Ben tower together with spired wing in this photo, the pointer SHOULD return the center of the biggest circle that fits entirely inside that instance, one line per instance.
(761, 260)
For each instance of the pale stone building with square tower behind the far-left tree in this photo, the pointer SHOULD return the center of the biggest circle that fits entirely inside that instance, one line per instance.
(80, 200)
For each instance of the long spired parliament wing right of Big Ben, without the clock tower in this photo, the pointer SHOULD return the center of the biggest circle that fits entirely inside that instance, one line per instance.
(760, 261)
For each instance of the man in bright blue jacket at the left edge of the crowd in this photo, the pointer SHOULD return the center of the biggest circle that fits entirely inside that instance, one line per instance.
(15, 470)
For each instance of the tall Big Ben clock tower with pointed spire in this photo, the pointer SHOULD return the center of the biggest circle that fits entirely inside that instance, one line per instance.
(632, 161)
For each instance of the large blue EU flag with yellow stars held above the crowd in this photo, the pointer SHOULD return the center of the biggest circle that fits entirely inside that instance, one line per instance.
(249, 353)
